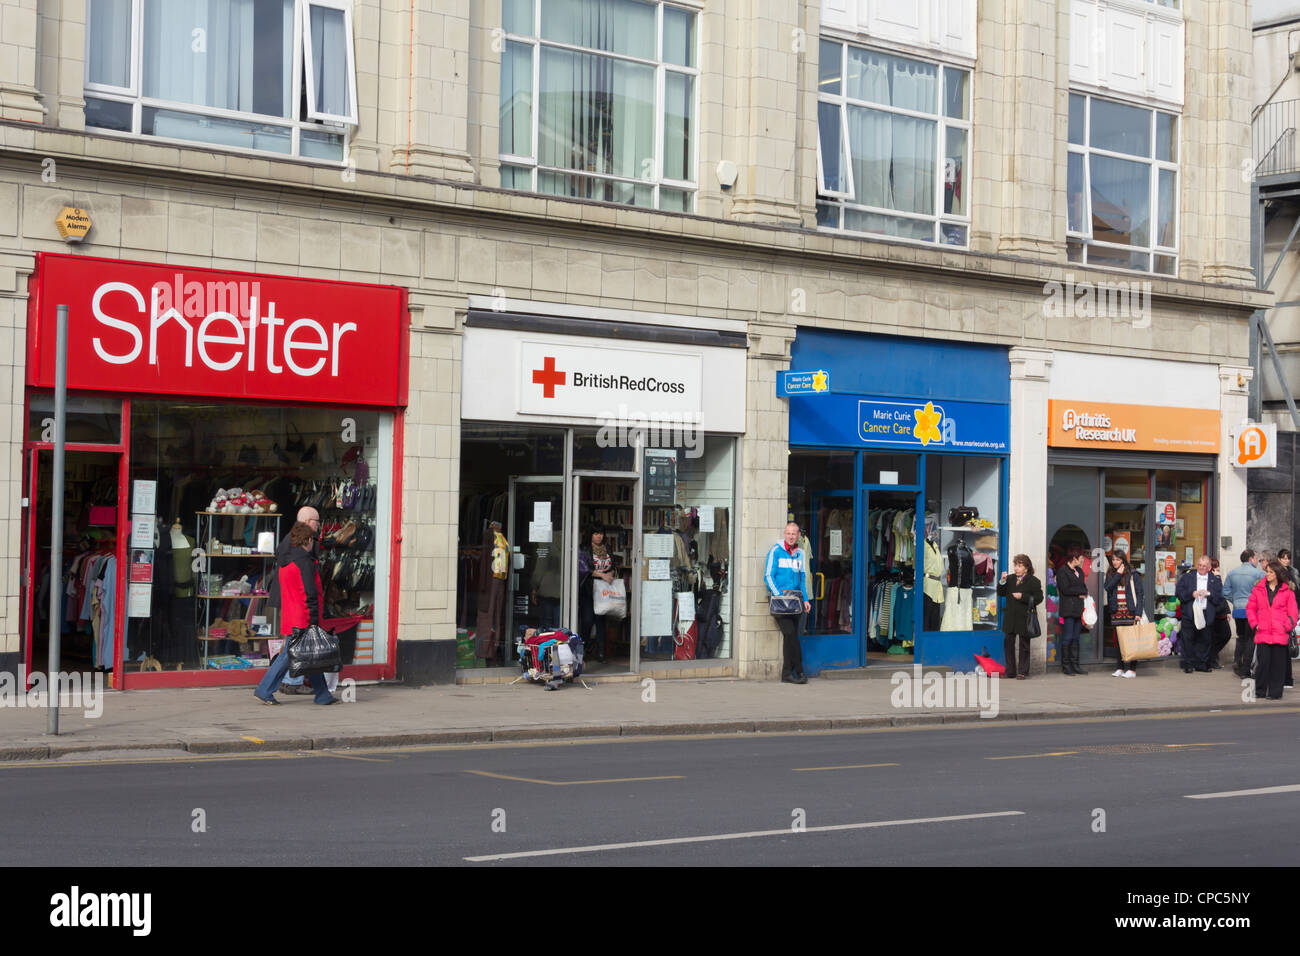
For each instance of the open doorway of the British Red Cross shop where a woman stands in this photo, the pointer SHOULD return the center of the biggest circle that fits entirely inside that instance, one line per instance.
(610, 505)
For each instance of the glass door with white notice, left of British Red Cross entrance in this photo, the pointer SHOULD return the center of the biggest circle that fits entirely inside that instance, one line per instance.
(538, 544)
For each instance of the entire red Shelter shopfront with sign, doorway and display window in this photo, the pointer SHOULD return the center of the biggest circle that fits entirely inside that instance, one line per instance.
(205, 408)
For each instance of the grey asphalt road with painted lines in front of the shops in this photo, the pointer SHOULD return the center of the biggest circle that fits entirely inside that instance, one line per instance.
(1086, 793)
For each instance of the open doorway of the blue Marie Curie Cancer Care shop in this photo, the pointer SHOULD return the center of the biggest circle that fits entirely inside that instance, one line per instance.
(891, 556)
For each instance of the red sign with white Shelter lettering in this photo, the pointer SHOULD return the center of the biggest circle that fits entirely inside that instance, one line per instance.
(181, 331)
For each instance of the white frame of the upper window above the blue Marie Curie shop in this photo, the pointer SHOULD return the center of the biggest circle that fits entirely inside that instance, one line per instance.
(844, 201)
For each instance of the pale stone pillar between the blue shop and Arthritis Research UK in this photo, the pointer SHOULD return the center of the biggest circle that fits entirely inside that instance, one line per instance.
(1028, 496)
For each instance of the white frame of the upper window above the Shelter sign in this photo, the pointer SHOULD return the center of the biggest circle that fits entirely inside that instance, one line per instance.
(343, 127)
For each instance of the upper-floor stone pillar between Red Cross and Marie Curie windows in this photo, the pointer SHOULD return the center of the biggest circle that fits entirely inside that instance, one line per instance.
(764, 127)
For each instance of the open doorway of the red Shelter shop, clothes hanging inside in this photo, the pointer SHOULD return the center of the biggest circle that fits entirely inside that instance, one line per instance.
(84, 570)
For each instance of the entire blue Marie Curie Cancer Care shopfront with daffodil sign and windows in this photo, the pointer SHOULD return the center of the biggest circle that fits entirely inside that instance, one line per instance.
(898, 475)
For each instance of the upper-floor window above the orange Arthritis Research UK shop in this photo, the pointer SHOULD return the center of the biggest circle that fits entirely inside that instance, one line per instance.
(1123, 187)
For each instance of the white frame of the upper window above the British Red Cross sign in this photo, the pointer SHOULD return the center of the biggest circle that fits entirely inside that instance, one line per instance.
(662, 70)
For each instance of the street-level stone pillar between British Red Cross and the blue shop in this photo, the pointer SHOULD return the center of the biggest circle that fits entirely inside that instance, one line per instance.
(762, 495)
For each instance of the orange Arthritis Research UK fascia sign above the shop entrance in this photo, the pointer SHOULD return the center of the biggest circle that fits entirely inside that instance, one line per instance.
(1133, 427)
